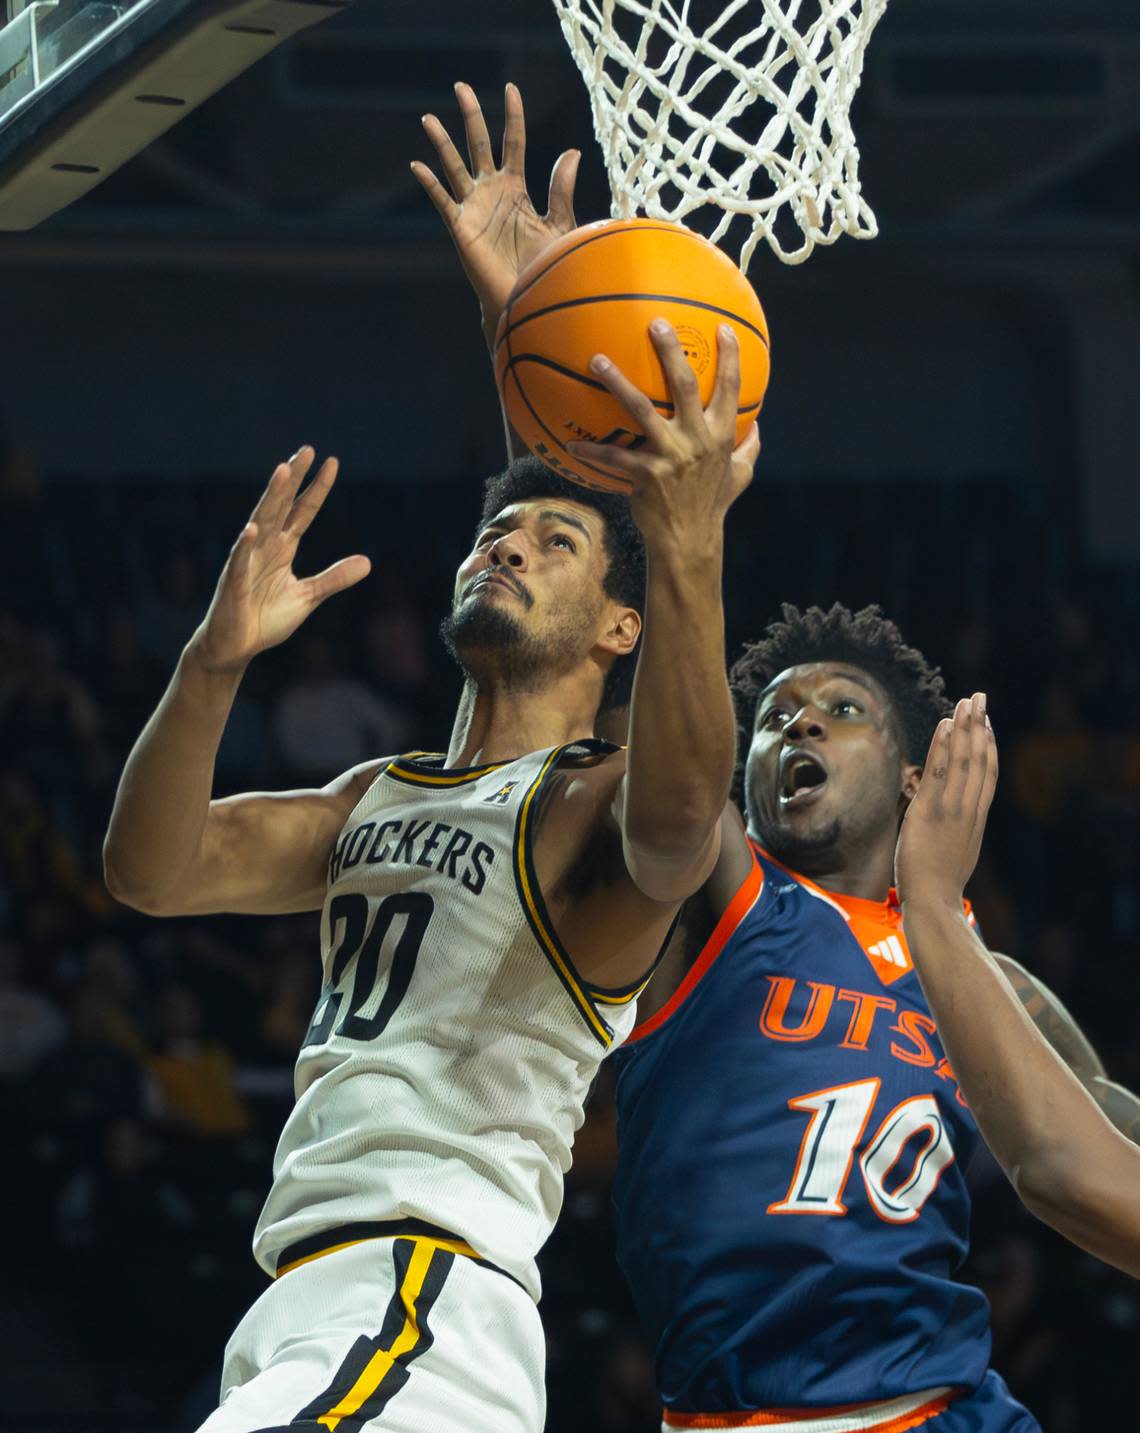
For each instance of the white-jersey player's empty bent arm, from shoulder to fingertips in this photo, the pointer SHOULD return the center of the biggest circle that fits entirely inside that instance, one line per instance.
(170, 849)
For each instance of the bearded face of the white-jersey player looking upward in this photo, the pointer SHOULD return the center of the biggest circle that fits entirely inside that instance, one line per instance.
(531, 598)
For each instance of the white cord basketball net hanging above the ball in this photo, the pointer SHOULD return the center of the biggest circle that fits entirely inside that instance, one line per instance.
(675, 107)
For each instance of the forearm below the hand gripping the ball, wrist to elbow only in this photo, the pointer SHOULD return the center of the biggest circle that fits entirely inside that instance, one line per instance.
(682, 736)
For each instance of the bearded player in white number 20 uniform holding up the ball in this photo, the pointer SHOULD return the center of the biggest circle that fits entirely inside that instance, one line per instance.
(488, 915)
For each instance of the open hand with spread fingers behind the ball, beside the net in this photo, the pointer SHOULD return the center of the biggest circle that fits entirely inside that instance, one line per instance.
(489, 213)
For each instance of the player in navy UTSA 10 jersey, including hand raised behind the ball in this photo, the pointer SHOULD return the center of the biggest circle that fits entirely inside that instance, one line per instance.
(790, 1194)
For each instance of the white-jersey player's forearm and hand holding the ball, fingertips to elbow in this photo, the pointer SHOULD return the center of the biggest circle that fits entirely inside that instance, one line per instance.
(682, 727)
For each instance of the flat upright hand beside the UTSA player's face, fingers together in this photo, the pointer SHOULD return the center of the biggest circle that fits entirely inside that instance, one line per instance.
(943, 829)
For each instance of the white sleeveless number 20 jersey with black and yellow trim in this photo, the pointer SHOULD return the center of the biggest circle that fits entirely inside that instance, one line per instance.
(445, 1073)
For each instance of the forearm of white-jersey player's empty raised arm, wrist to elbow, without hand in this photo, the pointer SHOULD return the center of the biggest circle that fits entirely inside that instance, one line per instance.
(163, 803)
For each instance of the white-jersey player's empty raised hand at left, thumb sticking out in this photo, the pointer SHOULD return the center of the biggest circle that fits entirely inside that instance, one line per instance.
(260, 601)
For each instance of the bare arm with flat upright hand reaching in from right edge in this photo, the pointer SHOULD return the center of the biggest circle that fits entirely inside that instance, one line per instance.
(1071, 1166)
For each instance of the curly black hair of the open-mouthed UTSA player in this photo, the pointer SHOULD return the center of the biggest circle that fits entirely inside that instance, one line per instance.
(866, 640)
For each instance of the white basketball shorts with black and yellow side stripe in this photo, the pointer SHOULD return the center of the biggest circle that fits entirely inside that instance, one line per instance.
(400, 1335)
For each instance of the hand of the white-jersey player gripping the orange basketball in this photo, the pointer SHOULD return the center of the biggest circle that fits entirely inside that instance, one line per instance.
(690, 472)
